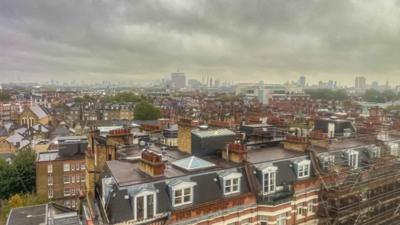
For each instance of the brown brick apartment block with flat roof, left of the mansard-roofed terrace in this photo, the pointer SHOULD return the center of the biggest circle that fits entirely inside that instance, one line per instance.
(61, 172)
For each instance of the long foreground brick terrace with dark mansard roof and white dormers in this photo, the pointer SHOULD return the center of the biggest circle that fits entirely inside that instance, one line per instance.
(346, 180)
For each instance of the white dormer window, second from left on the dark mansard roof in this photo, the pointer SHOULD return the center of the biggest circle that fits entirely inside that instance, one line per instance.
(182, 193)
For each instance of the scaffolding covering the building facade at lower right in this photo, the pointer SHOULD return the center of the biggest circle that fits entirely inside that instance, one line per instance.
(367, 195)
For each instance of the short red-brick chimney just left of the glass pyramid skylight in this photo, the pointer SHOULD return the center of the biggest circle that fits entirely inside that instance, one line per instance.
(151, 164)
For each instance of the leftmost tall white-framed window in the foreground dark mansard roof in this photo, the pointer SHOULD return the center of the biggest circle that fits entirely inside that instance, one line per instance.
(145, 206)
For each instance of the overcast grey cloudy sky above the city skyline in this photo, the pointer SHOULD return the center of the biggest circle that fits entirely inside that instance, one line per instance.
(242, 41)
